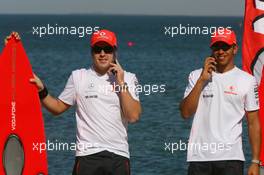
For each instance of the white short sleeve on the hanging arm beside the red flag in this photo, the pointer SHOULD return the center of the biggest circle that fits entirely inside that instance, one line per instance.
(252, 98)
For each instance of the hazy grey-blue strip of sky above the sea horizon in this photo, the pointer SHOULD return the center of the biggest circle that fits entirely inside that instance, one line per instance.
(133, 7)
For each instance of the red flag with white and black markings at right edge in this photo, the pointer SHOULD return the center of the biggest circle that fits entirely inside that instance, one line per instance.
(253, 51)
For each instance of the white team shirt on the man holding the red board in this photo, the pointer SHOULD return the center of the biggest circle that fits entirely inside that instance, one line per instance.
(100, 125)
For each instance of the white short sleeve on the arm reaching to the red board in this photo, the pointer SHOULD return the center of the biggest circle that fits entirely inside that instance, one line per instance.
(68, 95)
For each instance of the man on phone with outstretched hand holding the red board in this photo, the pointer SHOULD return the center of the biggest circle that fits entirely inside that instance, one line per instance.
(106, 101)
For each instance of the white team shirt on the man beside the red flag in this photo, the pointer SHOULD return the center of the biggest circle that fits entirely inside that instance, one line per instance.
(216, 132)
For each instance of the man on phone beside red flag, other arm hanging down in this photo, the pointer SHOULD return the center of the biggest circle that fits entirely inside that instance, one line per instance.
(218, 96)
